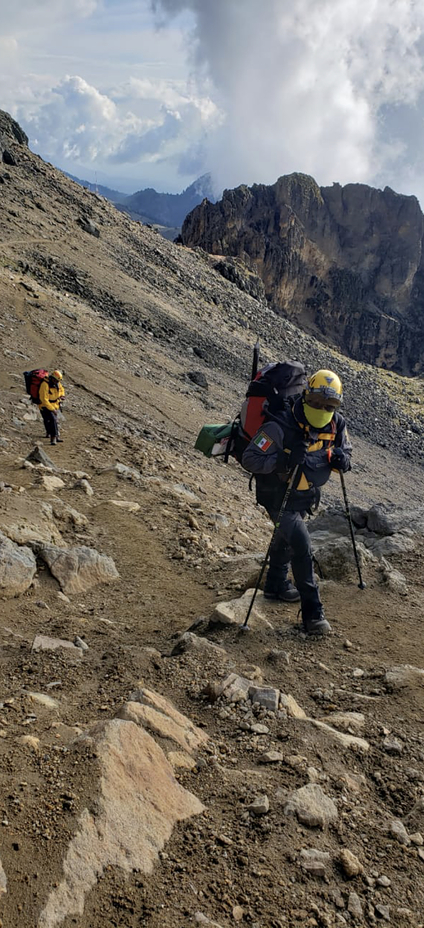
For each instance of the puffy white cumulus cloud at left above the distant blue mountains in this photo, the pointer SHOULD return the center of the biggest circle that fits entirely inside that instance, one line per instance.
(86, 126)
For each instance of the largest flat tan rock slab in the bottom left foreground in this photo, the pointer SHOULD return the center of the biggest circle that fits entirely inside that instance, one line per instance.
(138, 803)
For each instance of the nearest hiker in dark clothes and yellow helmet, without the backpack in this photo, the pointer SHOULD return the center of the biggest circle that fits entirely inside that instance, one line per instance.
(311, 437)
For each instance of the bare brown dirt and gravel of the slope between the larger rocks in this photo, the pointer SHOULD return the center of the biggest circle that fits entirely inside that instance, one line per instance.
(147, 305)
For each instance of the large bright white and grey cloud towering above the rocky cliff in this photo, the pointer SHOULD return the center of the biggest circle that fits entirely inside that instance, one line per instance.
(303, 83)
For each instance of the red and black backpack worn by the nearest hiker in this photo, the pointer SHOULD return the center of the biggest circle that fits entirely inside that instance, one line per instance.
(274, 386)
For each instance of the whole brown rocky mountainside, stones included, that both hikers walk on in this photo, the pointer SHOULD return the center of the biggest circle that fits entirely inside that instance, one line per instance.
(158, 766)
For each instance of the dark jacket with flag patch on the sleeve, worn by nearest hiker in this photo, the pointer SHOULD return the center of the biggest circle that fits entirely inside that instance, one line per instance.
(263, 457)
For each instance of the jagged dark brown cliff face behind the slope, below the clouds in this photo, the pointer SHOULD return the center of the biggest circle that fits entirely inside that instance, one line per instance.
(346, 262)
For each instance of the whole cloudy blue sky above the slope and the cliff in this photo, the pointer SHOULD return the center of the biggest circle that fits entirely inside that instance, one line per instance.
(155, 93)
